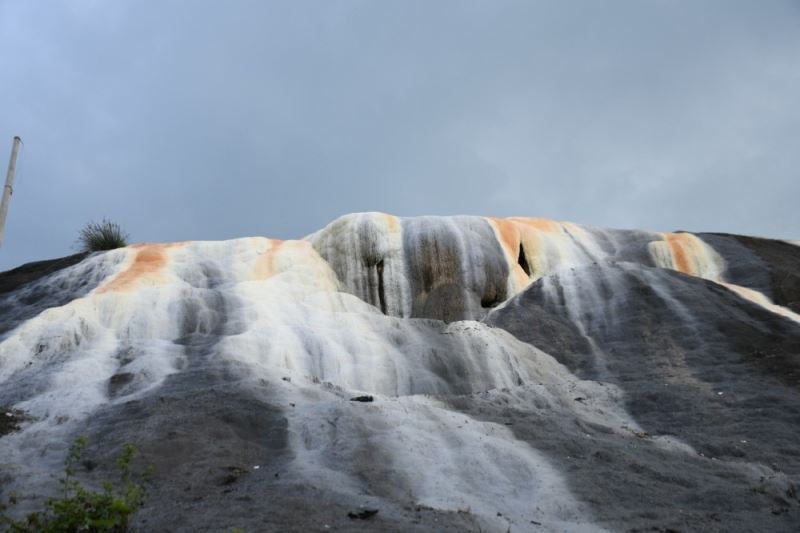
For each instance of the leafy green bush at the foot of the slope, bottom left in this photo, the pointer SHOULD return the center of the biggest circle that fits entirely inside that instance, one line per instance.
(82, 509)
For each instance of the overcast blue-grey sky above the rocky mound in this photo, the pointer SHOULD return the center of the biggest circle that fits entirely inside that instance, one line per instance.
(214, 120)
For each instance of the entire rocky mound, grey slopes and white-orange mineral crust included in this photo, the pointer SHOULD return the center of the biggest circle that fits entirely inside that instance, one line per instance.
(525, 374)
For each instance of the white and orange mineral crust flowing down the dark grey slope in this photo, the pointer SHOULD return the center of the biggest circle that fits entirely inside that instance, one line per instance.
(346, 306)
